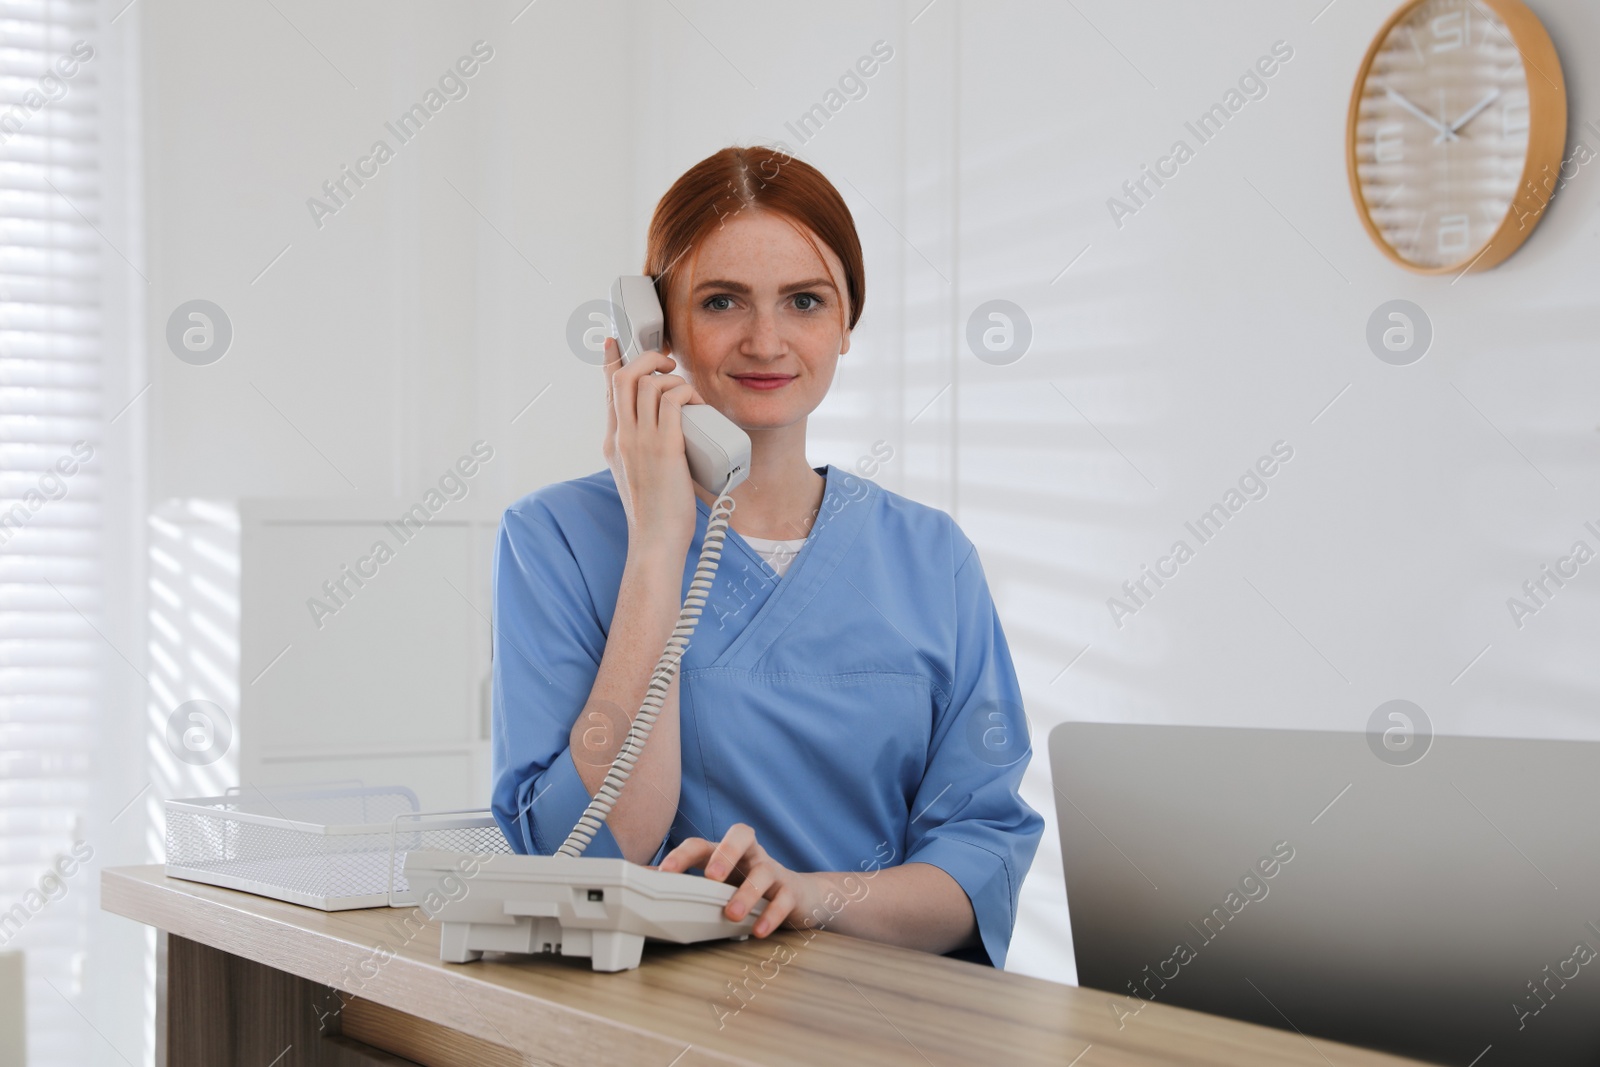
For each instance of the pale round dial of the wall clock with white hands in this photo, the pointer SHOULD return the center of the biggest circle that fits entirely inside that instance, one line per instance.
(1441, 132)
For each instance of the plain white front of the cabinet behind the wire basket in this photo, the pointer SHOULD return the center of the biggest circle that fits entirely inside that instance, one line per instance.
(366, 647)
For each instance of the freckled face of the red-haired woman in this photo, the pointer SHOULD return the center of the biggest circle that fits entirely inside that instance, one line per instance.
(762, 330)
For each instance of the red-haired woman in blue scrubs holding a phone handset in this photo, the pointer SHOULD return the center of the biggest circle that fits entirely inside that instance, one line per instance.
(846, 737)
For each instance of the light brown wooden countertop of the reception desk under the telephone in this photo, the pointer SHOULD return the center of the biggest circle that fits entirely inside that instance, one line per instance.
(815, 997)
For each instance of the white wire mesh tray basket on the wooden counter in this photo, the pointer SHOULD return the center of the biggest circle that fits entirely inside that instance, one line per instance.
(326, 849)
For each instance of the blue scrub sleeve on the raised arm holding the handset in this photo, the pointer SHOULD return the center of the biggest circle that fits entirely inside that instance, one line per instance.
(548, 649)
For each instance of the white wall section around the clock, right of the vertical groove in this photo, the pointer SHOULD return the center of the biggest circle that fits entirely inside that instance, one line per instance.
(1217, 322)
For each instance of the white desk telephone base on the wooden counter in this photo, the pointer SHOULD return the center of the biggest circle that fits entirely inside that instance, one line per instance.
(574, 906)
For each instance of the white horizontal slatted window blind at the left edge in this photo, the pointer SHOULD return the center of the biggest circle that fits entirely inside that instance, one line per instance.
(50, 502)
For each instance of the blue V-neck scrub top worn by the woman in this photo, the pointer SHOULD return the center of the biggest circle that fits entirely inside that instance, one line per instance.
(858, 713)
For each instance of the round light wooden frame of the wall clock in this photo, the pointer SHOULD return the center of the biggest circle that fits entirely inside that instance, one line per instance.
(1546, 137)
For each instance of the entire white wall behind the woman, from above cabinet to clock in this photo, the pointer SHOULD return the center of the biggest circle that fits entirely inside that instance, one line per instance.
(1218, 321)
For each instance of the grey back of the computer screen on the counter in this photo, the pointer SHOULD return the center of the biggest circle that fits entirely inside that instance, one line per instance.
(1441, 903)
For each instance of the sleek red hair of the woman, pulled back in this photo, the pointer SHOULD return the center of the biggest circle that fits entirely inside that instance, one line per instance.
(756, 178)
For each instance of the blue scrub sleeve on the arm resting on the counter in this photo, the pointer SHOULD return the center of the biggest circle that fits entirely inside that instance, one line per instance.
(969, 817)
